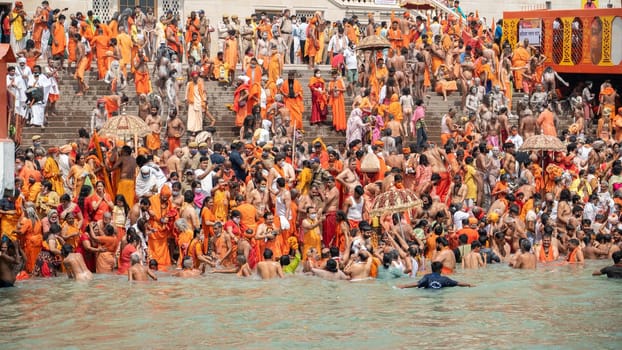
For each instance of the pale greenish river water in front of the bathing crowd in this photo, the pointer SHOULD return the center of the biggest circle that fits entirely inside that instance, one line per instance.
(551, 308)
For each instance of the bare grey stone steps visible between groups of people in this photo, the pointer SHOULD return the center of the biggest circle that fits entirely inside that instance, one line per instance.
(74, 112)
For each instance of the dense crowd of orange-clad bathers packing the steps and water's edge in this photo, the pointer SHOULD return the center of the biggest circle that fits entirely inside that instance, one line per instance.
(276, 201)
